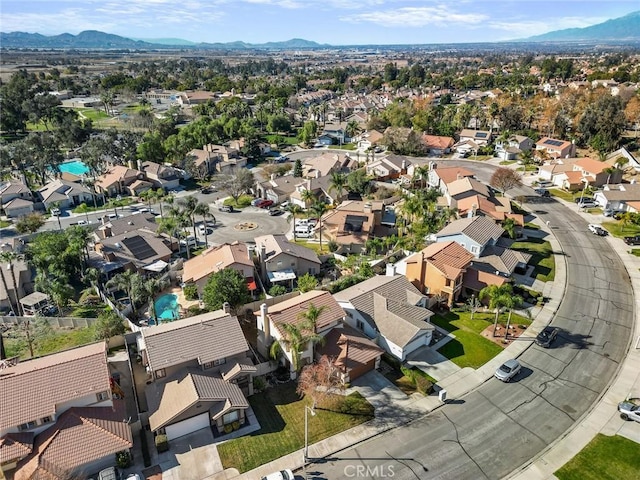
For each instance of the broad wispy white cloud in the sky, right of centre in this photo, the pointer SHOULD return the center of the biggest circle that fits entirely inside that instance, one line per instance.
(418, 17)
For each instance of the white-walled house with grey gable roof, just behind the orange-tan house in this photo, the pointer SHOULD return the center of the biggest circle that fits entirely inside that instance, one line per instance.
(474, 234)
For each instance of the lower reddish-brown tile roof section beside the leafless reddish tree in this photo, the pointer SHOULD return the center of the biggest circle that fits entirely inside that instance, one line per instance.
(349, 348)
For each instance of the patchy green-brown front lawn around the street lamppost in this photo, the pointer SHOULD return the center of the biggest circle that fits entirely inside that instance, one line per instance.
(280, 412)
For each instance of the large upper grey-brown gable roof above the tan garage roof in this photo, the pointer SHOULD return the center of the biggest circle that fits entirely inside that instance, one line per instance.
(207, 337)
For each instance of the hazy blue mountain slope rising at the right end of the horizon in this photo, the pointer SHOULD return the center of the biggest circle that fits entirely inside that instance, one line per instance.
(618, 29)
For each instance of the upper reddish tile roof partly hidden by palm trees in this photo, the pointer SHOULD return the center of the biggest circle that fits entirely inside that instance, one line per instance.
(290, 311)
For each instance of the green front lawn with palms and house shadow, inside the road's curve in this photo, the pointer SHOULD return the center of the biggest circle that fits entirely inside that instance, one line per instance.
(470, 348)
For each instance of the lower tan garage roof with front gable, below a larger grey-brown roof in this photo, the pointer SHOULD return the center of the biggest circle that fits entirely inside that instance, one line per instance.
(176, 395)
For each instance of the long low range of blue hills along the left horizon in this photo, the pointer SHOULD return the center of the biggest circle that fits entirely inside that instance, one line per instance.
(100, 40)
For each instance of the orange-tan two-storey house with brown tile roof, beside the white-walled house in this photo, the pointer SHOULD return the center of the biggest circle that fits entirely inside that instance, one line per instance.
(438, 271)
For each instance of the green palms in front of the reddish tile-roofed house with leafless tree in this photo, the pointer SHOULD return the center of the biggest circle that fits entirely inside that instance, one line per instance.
(298, 336)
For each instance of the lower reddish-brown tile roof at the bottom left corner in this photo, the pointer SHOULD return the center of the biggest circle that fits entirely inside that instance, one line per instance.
(81, 435)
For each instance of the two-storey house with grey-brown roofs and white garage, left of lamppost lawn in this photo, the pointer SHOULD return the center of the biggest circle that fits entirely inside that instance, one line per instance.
(200, 371)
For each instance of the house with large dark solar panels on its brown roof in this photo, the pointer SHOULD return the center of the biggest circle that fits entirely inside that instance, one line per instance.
(141, 250)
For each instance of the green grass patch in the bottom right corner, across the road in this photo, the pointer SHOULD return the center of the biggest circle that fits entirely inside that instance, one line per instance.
(604, 458)
